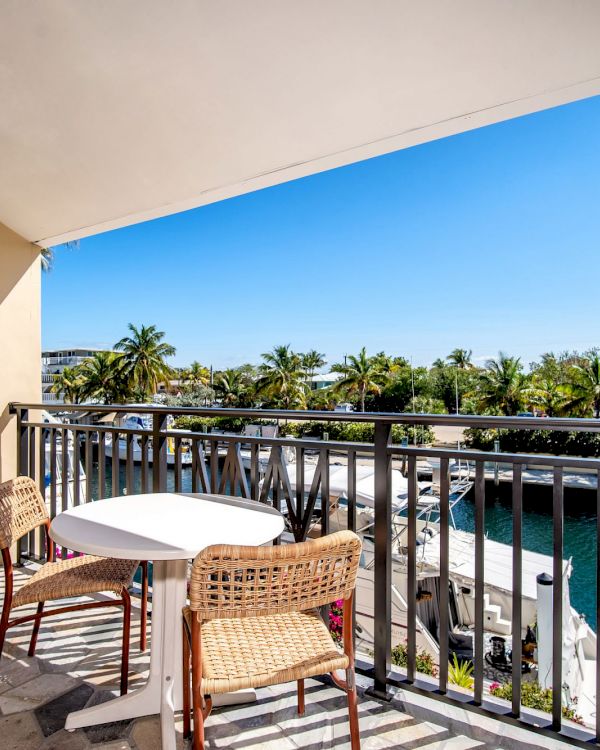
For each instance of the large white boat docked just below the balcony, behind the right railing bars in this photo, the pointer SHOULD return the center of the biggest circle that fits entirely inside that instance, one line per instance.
(535, 640)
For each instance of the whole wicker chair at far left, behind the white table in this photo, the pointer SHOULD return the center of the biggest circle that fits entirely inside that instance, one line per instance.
(22, 509)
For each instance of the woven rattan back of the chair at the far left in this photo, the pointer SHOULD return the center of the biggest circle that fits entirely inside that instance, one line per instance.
(22, 509)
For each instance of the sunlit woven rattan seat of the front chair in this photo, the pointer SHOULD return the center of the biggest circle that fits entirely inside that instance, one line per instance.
(258, 651)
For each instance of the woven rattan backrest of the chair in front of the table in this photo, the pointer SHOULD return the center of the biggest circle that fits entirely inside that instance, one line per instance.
(229, 581)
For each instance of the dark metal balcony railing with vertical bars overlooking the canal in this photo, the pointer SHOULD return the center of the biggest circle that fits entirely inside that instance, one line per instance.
(156, 458)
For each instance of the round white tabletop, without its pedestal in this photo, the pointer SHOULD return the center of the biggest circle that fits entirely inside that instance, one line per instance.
(164, 526)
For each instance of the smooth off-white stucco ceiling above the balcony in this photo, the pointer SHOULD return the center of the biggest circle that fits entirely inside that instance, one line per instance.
(118, 111)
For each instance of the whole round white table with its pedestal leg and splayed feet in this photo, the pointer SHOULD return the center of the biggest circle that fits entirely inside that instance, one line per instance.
(168, 529)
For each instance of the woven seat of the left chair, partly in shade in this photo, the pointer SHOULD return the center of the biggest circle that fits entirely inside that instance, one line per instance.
(77, 576)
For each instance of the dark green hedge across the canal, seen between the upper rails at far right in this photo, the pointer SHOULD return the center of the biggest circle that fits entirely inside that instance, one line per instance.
(535, 441)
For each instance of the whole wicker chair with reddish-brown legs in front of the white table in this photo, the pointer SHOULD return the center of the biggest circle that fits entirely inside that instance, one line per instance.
(253, 621)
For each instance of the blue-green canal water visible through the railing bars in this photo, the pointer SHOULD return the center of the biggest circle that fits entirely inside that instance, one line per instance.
(579, 525)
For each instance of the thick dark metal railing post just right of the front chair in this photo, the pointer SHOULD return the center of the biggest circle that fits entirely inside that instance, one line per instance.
(383, 562)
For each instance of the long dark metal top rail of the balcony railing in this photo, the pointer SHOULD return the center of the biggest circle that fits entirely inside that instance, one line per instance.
(467, 420)
